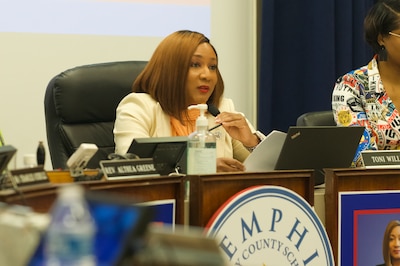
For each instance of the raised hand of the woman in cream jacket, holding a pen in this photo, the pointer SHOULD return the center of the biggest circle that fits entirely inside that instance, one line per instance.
(236, 126)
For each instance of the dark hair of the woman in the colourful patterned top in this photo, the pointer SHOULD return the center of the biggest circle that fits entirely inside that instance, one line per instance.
(383, 17)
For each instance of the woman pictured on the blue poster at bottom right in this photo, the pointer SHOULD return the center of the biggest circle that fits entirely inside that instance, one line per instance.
(391, 244)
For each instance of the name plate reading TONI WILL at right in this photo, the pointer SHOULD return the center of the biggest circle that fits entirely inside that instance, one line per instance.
(381, 159)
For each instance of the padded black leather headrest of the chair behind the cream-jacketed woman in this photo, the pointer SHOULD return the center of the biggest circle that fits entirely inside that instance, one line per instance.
(92, 92)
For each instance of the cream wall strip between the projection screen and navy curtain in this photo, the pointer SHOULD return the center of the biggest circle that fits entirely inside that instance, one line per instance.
(233, 32)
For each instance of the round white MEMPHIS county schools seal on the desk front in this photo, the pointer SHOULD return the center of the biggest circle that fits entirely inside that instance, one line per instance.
(270, 226)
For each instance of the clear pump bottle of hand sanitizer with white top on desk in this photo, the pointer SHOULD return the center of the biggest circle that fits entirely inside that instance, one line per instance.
(202, 147)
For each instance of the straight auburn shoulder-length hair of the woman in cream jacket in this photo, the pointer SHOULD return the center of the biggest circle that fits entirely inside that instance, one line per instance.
(164, 76)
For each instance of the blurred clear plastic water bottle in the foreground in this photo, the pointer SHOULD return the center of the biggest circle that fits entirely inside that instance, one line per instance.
(69, 239)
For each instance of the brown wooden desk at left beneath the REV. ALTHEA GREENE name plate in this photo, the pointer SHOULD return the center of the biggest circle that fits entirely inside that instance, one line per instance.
(40, 197)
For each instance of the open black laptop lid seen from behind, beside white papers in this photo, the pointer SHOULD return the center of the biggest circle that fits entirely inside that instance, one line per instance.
(319, 147)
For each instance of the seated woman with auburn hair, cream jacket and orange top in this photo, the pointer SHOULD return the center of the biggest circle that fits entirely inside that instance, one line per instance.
(183, 71)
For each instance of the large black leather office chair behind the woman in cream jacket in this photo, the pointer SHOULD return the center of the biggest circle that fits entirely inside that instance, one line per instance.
(80, 105)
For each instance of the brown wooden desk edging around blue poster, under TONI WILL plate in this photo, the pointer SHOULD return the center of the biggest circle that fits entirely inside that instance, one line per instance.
(352, 179)
